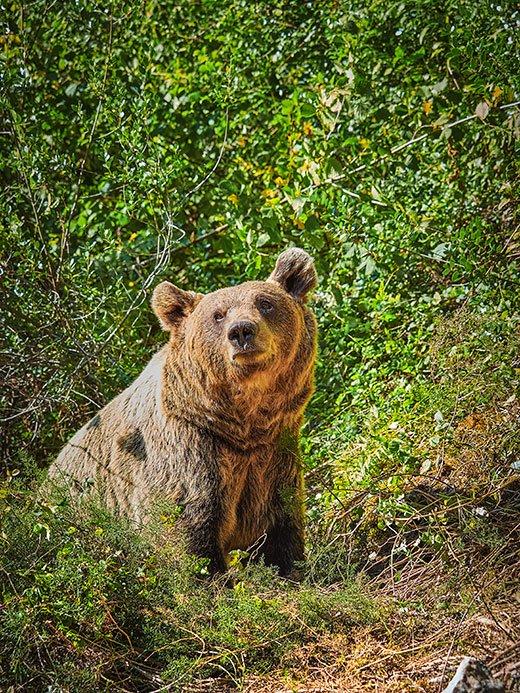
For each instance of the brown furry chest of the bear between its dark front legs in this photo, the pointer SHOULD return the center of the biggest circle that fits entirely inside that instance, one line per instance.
(247, 485)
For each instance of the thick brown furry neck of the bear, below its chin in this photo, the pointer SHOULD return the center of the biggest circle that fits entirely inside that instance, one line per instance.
(243, 414)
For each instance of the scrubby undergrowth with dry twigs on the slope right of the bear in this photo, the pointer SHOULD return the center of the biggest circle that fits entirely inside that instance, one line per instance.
(435, 465)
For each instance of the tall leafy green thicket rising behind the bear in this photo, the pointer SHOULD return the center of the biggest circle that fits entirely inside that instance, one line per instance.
(195, 141)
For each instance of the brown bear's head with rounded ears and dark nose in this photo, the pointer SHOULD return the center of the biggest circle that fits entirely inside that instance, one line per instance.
(241, 331)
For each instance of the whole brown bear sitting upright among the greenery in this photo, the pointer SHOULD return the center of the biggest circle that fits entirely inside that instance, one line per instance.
(213, 421)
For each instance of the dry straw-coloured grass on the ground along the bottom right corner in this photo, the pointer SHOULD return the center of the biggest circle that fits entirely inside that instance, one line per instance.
(414, 652)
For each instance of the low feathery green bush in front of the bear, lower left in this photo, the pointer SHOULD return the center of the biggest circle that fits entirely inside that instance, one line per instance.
(90, 602)
